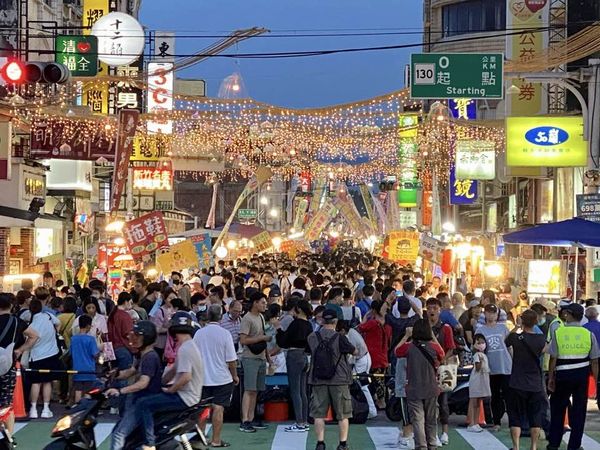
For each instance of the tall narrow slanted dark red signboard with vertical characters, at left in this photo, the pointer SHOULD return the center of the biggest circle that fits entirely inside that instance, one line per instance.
(128, 120)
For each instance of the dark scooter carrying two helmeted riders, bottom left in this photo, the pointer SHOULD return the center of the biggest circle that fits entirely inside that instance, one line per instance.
(174, 431)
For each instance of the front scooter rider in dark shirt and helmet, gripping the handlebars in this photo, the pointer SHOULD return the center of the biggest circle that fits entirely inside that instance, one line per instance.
(148, 371)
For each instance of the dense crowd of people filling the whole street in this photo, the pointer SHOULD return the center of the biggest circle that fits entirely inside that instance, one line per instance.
(326, 320)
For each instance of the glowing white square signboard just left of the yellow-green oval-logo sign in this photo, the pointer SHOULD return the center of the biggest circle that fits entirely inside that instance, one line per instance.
(475, 160)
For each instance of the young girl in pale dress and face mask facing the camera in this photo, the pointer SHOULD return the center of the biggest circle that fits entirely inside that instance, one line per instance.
(479, 382)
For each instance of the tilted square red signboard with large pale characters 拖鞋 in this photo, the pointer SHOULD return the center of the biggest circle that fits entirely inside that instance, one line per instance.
(145, 235)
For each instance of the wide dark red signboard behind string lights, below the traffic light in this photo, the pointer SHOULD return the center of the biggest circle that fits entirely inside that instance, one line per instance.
(72, 139)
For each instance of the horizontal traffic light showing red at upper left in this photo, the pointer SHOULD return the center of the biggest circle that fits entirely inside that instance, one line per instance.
(19, 72)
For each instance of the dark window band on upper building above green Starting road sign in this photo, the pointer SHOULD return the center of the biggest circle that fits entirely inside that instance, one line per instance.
(473, 16)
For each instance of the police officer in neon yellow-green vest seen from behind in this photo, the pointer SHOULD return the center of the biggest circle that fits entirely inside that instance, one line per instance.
(573, 352)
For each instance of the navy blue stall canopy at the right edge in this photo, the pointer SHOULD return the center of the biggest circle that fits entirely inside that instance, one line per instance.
(572, 232)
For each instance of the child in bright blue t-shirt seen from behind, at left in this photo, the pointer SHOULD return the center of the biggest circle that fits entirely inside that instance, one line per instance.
(84, 351)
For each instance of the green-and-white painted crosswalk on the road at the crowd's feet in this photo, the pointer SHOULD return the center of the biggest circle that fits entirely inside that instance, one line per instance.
(36, 434)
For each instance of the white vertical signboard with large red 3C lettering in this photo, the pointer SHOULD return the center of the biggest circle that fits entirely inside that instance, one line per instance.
(160, 95)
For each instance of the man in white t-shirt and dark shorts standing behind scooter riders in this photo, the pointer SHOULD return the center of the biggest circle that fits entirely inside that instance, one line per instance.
(220, 370)
